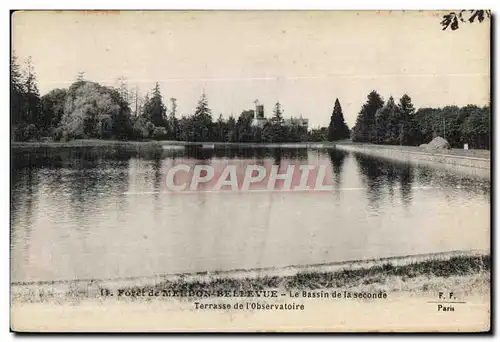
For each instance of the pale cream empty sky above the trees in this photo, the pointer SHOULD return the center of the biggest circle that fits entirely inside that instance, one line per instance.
(304, 59)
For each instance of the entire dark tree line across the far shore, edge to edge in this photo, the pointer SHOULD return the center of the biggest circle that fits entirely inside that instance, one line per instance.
(87, 110)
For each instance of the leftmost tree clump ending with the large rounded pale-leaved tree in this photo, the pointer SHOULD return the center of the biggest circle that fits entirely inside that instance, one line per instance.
(84, 110)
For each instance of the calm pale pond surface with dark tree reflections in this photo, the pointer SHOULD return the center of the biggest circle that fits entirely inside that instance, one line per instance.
(89, 213)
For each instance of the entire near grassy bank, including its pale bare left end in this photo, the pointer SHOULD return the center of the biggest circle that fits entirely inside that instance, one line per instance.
(436, 273)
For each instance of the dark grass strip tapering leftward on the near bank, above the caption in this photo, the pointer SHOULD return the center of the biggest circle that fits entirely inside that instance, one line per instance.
(381, 275)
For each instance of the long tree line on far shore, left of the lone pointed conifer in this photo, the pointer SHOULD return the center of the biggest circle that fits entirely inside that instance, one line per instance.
(89, 110)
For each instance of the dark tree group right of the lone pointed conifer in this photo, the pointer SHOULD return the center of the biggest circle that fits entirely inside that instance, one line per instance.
(399, 123)
